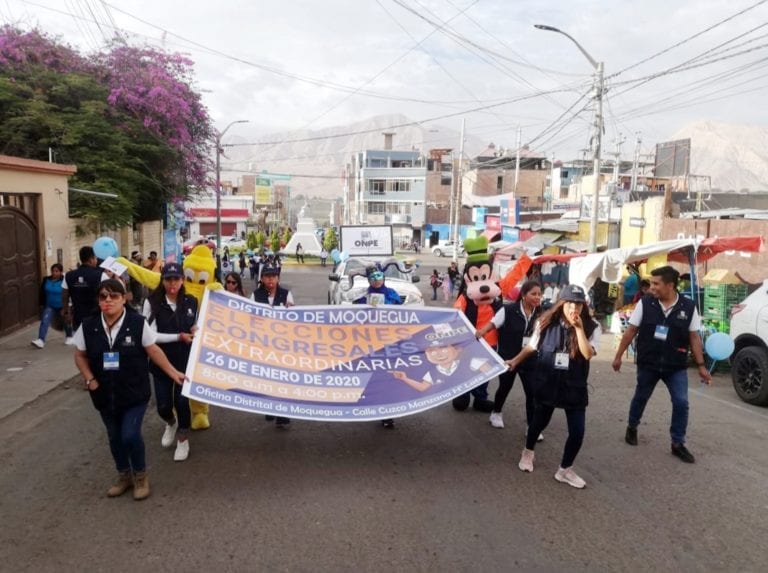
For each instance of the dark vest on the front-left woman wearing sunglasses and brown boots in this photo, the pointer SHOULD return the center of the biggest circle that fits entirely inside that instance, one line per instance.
(129, 385)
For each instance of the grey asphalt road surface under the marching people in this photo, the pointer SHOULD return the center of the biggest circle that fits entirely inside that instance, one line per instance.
(441, 492)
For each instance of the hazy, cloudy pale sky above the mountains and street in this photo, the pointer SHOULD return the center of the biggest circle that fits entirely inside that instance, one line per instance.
(308, 64)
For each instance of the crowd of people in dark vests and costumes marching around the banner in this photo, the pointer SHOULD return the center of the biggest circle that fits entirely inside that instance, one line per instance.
(123, 349)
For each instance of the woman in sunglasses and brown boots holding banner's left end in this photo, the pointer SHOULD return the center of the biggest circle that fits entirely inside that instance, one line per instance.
(112, 349)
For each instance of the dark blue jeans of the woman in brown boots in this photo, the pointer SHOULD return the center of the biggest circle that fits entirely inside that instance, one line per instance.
(125, 440)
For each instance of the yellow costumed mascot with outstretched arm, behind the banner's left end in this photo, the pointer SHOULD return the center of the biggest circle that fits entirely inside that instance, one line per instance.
(199, 272)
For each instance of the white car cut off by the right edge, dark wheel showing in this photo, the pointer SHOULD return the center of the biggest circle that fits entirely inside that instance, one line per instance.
(749, 361)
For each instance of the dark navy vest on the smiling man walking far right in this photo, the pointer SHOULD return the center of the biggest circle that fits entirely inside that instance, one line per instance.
(670, 354)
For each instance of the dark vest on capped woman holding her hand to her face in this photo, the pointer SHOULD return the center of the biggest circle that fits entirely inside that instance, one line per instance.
(560, 388)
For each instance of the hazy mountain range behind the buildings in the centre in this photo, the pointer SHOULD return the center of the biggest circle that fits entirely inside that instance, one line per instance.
(324, 153)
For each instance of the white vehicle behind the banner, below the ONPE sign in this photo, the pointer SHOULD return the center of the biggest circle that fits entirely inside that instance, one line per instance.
(341, 292)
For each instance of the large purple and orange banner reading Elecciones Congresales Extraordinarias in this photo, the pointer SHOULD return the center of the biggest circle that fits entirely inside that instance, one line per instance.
(333, 362)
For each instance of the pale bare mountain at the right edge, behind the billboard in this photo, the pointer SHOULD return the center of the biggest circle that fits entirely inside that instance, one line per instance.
(735, 156)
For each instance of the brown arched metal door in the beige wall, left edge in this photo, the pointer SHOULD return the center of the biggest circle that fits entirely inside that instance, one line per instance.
(19, 275)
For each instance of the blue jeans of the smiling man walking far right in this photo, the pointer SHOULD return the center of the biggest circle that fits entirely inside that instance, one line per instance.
(677, 384)
